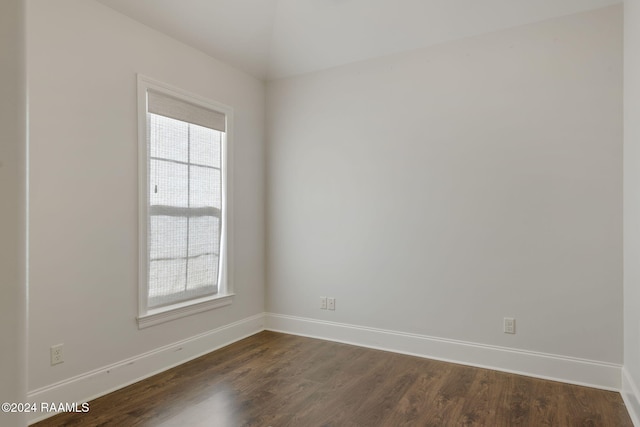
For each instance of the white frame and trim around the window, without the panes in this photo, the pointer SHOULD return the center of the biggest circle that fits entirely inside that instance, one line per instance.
(146, 316)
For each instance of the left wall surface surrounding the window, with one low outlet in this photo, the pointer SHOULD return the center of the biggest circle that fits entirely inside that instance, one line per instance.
(83, 58)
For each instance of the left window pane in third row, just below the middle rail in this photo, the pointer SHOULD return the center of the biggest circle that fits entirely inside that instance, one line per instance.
(167, 237)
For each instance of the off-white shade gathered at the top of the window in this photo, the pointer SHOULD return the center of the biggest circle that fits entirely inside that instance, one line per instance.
(161, 104)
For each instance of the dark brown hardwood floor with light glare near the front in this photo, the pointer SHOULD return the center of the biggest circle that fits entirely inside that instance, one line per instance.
(273, 379)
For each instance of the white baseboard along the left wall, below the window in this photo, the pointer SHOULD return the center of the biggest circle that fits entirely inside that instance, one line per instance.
(99, 382)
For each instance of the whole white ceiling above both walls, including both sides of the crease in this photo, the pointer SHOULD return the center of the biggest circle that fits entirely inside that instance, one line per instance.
(272, 39)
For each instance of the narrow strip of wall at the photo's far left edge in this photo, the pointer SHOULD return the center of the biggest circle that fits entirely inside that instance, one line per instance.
(13, 373)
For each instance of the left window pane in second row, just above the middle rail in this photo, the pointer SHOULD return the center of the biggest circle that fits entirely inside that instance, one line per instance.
(168, 183)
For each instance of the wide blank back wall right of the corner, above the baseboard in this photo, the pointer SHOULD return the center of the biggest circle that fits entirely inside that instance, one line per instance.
(438, 191)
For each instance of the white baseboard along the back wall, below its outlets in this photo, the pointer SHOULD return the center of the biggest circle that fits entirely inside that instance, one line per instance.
(571, 370)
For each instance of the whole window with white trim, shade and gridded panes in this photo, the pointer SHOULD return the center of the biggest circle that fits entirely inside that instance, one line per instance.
(185, 205)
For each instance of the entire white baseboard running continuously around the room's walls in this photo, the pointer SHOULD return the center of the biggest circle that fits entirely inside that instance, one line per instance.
(90, 385)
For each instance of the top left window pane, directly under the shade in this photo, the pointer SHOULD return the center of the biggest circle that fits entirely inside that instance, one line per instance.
(169, 138)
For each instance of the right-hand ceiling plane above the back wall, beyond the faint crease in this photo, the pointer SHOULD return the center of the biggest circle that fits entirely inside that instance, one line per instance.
(310, 35)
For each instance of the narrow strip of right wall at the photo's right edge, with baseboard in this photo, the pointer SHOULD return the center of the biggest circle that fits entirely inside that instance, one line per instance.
(632, 208)
